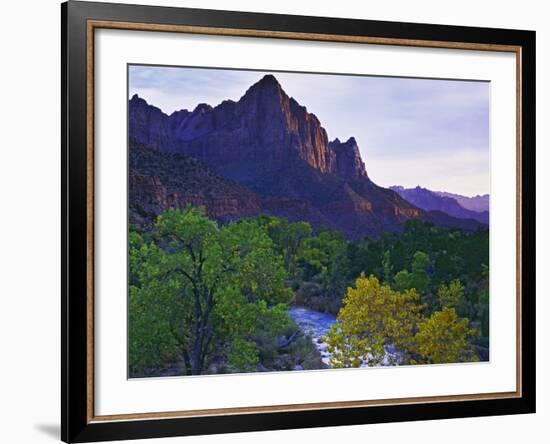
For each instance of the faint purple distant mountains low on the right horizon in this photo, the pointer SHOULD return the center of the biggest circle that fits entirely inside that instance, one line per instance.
(452, 204)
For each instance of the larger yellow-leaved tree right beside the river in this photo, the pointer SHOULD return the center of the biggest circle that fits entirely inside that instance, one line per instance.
(373, 315)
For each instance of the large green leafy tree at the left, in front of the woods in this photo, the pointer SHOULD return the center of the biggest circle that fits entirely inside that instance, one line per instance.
(200, 290)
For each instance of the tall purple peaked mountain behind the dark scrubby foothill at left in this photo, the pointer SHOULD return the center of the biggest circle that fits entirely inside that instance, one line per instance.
(270, 145)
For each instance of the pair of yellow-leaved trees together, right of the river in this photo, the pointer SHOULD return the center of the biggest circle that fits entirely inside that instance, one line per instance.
(374, 318)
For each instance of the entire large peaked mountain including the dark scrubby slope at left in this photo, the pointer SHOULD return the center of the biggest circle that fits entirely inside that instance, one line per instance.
(266, 154)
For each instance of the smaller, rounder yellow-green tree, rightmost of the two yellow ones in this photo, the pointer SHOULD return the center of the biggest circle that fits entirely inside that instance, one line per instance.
(445, 338)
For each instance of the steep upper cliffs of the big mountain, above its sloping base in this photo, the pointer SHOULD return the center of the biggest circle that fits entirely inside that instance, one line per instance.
(264, 128)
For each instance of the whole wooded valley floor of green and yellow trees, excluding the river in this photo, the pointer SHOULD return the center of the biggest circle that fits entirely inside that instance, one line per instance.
(208, 298)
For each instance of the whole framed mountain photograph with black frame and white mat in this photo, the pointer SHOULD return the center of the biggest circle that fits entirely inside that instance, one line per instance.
(275, 221)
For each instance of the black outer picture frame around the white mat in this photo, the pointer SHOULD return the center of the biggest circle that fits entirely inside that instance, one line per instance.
(76, 423)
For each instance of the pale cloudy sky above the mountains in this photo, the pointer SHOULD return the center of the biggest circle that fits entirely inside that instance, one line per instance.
(428, 132)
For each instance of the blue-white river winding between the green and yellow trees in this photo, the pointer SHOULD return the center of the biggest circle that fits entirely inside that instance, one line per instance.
(317, 324)
